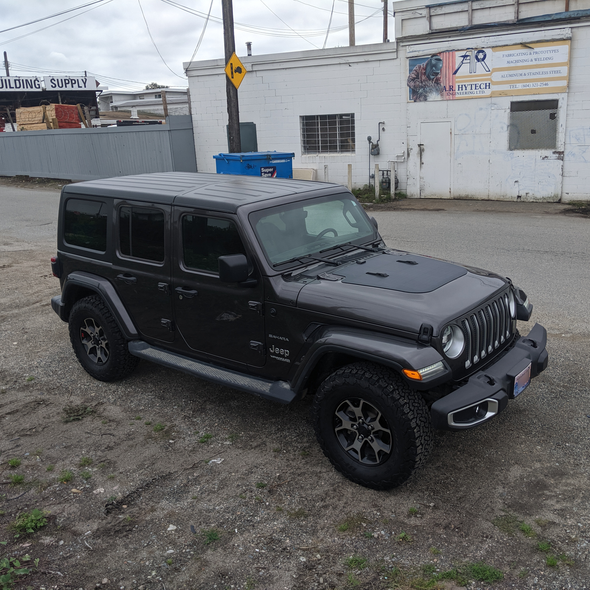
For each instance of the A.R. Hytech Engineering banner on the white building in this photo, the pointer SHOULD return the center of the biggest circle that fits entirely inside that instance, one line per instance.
(532, 68)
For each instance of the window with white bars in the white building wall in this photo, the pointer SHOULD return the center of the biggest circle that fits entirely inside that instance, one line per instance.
(322, 134)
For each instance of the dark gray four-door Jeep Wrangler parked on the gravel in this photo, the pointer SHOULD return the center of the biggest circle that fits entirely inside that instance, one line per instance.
(284, 288)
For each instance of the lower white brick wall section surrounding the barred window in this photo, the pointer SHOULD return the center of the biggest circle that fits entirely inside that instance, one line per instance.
(278, 89)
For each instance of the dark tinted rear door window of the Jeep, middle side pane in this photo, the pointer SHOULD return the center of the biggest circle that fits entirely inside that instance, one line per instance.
(141, 233)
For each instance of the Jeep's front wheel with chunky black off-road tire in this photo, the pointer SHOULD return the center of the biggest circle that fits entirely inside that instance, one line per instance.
(397, 419)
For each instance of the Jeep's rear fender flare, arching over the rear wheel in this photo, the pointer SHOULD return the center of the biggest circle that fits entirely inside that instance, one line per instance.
(107, 292)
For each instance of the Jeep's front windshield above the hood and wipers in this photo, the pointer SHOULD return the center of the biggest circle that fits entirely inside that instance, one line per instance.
(308, 227)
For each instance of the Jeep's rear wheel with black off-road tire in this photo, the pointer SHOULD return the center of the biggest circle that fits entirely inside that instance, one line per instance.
(98, 342)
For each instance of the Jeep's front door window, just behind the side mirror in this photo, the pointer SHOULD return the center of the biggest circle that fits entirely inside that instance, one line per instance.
(205, 239)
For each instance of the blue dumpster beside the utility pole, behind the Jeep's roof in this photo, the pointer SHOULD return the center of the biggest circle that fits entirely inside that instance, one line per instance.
(268, 164)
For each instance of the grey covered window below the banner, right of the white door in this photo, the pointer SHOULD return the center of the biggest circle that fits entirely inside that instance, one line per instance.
(533, 125)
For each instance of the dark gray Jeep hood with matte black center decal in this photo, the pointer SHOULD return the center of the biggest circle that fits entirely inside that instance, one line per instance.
(398, 290)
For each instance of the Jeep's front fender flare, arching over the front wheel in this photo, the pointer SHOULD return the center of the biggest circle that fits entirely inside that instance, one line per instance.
(394, 352)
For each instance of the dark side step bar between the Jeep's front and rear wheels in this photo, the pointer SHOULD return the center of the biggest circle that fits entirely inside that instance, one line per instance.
(278, 391)
